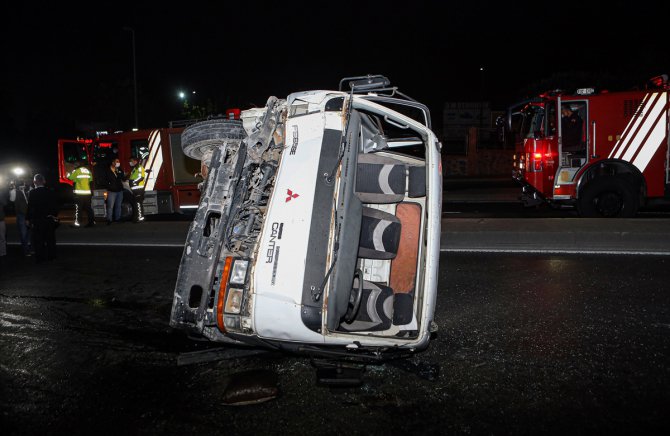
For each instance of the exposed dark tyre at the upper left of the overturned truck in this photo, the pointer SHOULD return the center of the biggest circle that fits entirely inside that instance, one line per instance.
(201, 138)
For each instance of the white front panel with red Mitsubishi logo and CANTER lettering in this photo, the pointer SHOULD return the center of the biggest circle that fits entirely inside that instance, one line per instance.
(280, 268)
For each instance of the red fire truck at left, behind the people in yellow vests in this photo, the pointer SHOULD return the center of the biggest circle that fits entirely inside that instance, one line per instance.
(172, 184)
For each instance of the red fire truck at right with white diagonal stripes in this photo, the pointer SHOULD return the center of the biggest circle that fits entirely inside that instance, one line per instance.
(604, 152)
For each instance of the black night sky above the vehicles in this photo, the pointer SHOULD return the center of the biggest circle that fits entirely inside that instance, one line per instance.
(69, 69)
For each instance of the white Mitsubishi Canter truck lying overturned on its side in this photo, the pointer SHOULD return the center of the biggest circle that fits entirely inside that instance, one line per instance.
(318, 227)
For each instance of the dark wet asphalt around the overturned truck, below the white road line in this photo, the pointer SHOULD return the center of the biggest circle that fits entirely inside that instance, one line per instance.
(526, 345)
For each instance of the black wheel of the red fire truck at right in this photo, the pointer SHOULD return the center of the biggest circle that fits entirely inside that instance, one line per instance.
(608, 197)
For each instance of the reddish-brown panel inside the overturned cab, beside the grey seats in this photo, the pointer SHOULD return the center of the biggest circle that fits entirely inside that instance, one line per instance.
(403, 267)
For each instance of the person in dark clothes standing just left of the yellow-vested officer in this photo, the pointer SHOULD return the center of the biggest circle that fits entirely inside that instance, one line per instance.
(42, 217)
